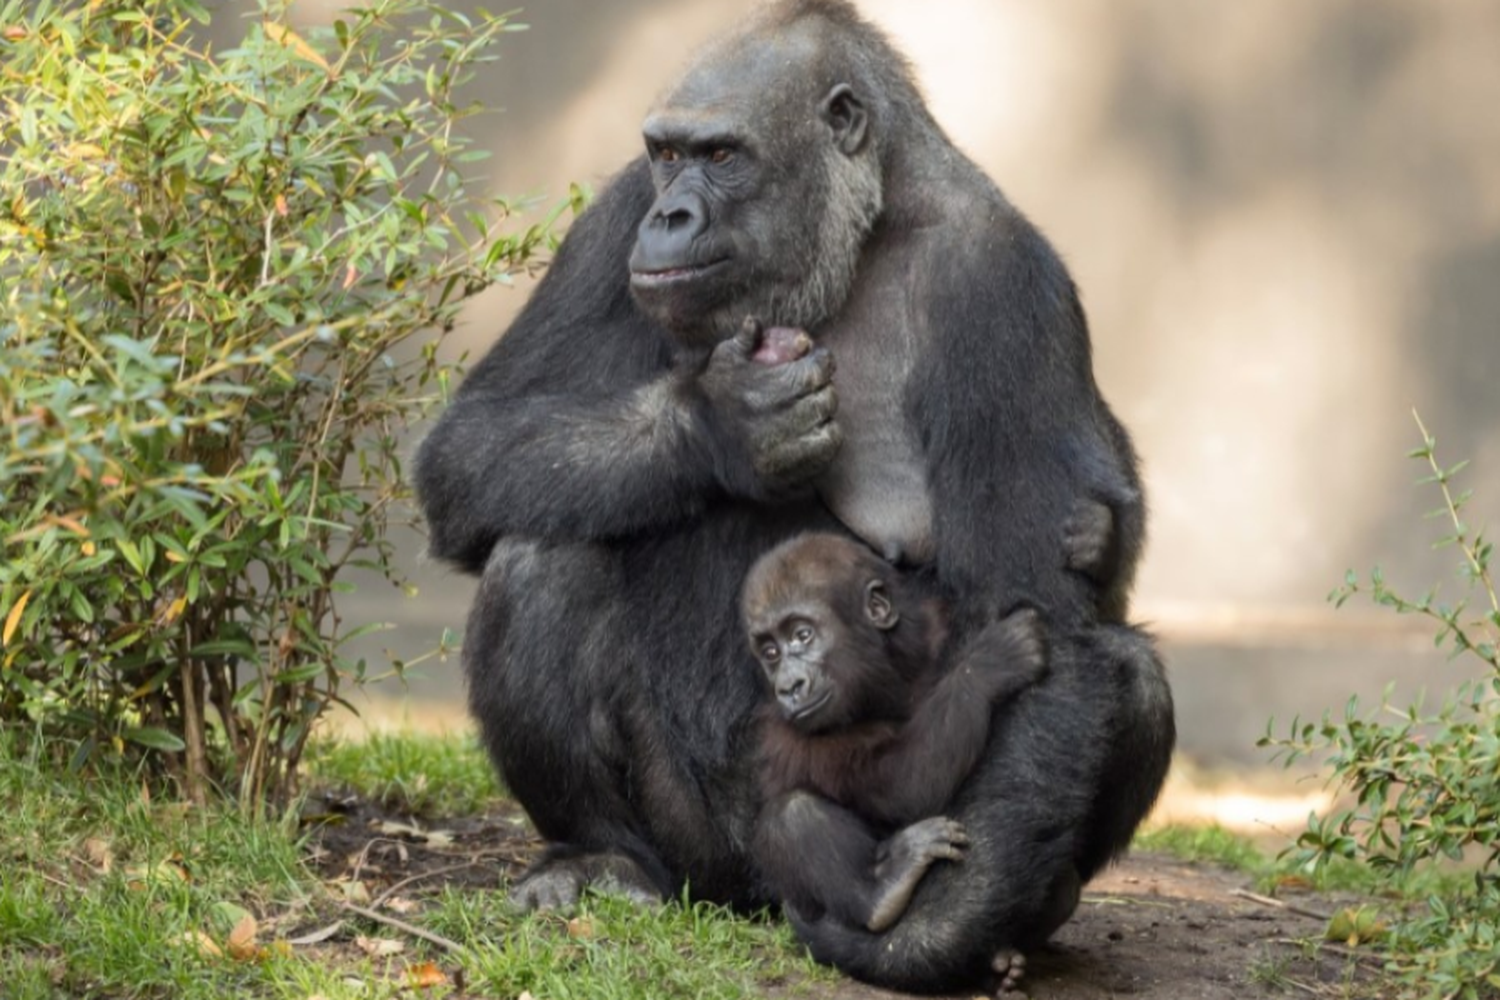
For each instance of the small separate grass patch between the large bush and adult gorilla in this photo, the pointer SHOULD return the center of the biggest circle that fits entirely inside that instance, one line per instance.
(412, 773)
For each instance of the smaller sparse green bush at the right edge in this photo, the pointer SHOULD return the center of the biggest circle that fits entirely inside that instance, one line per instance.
(1427, 786)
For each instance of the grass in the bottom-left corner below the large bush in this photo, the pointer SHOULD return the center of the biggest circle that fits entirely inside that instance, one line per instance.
(106, 887)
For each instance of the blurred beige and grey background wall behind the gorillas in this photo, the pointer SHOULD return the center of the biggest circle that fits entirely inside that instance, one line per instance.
(1285, 218)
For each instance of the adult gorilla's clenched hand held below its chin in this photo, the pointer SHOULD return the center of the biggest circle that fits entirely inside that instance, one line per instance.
(778, 418)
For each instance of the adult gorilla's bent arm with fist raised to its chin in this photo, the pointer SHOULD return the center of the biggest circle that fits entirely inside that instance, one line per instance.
(583, 424)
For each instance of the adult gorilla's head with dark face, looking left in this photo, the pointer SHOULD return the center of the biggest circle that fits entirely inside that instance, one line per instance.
(766, 193)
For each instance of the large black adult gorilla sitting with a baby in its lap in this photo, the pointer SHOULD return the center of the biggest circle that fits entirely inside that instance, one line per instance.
(622, 457)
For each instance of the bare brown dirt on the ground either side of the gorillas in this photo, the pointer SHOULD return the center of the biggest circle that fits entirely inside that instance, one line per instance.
(1151, 929)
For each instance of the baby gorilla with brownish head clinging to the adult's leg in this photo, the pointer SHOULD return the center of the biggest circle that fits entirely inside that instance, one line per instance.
(866, 741)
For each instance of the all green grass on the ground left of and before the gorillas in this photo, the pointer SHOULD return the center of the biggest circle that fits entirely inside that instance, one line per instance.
(106, 888)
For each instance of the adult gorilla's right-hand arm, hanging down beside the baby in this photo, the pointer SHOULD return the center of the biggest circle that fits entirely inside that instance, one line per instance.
(1018, 439)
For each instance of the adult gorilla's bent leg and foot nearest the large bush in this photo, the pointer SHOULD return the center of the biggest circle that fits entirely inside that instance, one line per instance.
(547, 683)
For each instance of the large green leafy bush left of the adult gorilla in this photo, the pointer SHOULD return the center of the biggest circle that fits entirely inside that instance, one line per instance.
(211, 263)
